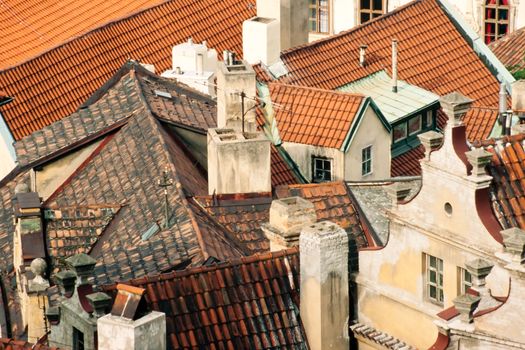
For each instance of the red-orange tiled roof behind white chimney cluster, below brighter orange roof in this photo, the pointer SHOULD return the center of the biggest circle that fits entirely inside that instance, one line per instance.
(52, 85)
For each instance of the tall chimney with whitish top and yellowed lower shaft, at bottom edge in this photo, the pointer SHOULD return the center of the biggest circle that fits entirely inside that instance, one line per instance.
(324, 286)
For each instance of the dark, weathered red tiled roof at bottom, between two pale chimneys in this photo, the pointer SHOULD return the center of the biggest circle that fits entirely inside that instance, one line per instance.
(248, 303)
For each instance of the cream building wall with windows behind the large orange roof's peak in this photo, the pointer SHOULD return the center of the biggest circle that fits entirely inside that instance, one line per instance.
(488, 18)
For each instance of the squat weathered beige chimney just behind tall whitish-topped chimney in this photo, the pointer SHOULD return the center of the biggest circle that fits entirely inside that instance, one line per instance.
(287, 218)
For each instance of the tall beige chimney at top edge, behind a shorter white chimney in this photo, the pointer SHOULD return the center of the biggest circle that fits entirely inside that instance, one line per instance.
(293, 19)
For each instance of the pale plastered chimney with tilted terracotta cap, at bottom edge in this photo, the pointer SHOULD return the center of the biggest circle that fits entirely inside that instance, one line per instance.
(129, 325)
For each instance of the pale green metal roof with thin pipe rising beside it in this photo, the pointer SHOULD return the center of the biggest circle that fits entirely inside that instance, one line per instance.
(395, 106)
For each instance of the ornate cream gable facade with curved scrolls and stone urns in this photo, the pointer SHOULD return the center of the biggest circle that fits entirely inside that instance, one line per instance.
(433, 235)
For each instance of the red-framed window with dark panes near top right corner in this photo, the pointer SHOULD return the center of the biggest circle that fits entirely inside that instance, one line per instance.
(496, 19)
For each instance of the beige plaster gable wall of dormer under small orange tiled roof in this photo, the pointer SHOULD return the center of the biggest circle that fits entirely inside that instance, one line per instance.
(370, 132)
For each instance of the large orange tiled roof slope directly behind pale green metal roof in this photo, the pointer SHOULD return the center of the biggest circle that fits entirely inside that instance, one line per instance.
(432, 55)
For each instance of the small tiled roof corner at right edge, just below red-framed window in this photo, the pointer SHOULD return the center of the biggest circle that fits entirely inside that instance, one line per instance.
(510, 50)
